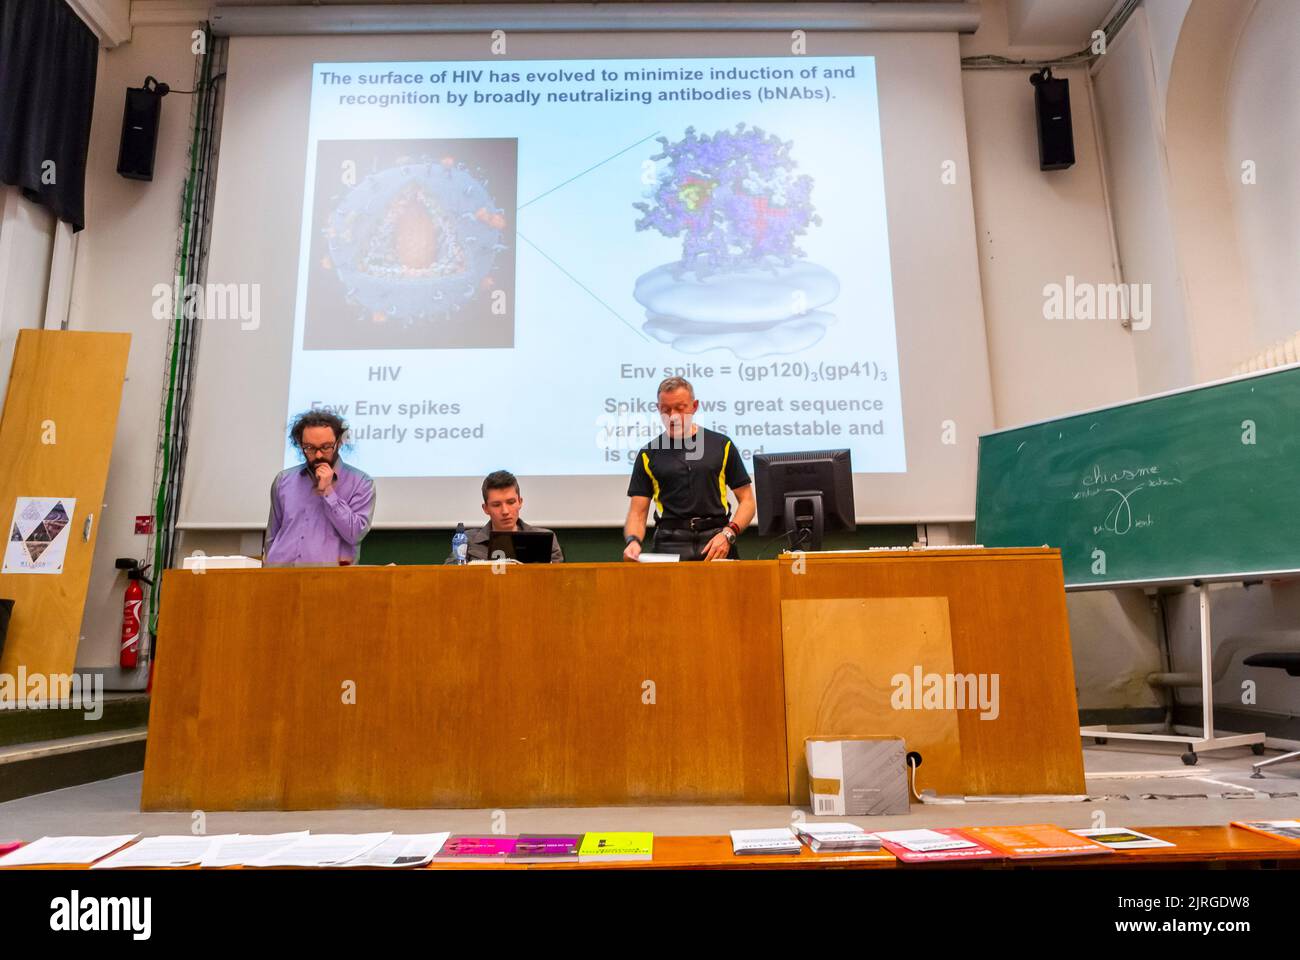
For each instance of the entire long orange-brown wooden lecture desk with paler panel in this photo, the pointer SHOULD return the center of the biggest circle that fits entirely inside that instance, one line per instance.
(597, 684)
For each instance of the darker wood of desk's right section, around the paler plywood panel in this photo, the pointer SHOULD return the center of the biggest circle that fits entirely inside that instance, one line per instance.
(1008, 619)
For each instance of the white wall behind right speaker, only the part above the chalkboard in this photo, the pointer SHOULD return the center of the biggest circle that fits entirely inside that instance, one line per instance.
(1034, 230)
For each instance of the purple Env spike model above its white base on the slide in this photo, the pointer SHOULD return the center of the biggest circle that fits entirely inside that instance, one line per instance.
(734, 198)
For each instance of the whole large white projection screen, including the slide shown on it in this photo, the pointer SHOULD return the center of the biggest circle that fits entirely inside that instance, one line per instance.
(489, 262)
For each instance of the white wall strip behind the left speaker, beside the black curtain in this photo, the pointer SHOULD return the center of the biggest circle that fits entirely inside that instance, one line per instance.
(129, 245)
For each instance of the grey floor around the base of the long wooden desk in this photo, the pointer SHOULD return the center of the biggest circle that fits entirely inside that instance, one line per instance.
(1202, 795)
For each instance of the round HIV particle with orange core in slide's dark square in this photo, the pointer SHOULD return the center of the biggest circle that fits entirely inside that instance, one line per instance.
(415, 243)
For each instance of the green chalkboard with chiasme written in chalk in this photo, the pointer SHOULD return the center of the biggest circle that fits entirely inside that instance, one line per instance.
(1195, 485)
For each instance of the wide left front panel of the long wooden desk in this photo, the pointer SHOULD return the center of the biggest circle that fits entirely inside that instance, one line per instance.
(473, 689)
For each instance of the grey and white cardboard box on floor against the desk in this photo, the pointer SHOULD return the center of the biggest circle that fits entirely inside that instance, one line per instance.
(857, 776)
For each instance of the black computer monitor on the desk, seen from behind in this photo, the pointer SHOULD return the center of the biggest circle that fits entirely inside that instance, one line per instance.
(804, 495)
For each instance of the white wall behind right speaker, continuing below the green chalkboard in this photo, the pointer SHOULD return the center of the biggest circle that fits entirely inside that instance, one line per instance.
(1035, 228)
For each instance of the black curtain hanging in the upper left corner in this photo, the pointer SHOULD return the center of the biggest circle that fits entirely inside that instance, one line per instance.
(47, 89)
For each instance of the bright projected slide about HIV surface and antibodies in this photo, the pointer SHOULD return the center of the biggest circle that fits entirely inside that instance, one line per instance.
(500, 261)
